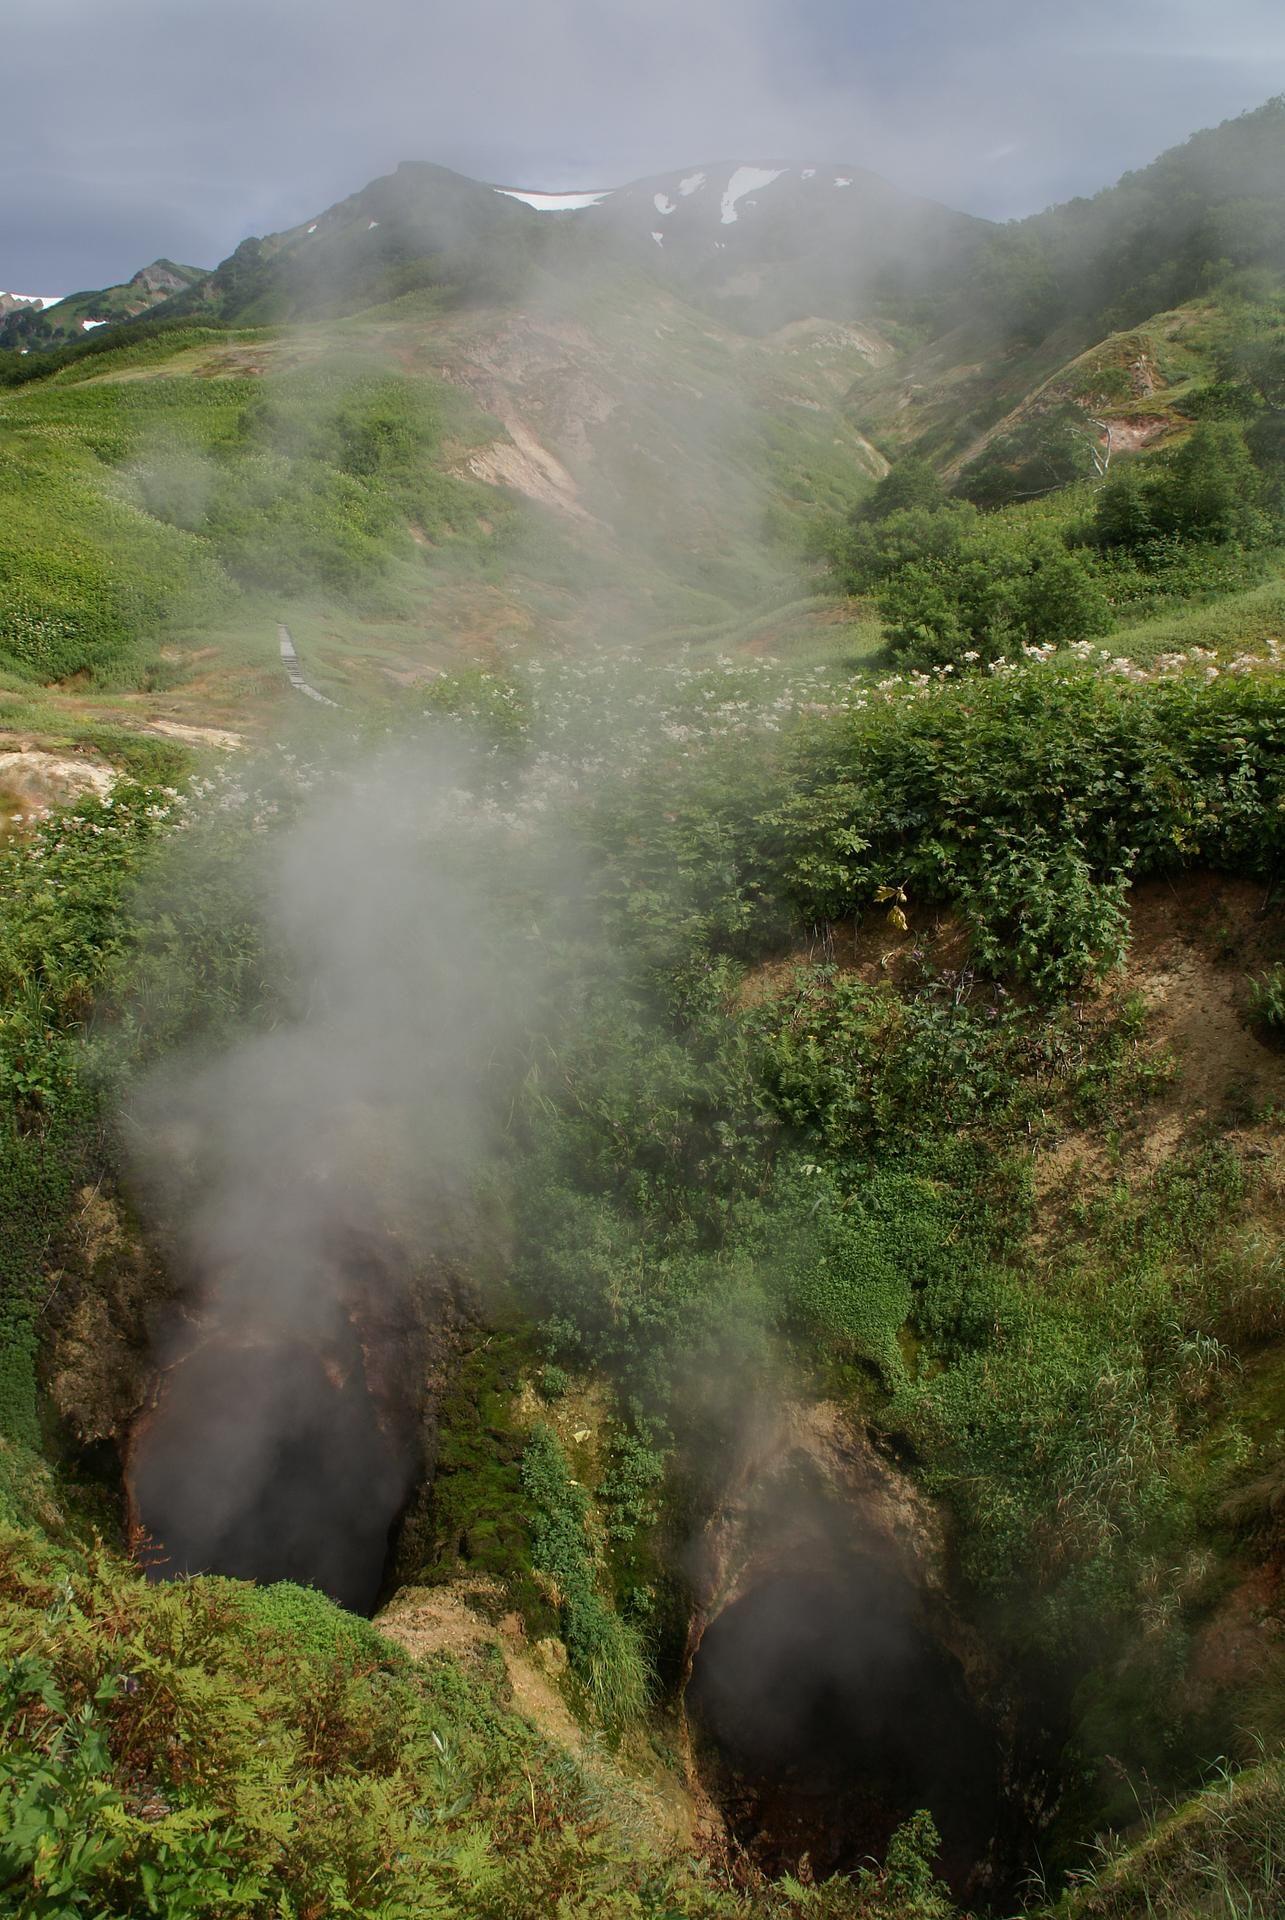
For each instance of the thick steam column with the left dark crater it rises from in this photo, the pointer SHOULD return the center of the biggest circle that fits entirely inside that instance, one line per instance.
(306, 1172)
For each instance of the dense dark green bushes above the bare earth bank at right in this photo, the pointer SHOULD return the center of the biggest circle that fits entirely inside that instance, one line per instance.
(1057, 780)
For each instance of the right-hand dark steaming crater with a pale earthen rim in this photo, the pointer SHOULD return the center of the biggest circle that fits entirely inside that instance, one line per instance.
(833, 1685)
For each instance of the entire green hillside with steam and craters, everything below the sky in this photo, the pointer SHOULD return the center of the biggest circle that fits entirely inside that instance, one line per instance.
(702, 1138)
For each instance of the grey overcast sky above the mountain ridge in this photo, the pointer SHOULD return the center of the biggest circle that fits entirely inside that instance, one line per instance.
(133, 130)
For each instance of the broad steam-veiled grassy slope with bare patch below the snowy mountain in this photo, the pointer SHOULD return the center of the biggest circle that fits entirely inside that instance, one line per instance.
(685, 502)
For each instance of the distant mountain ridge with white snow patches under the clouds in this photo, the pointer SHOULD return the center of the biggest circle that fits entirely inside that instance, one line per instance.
(758, 245)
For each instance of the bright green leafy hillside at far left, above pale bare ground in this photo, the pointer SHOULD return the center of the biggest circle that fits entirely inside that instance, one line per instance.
(174, 500)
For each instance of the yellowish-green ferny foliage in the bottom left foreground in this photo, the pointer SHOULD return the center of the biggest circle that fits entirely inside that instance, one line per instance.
(176, 1750)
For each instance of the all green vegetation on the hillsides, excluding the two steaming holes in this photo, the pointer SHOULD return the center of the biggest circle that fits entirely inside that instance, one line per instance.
(842, 1074)
